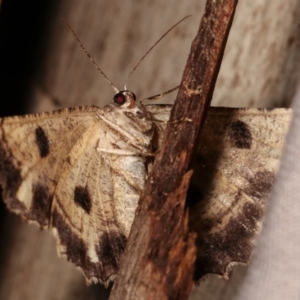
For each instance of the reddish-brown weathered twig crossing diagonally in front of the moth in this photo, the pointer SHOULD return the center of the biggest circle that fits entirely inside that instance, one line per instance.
(159, 257)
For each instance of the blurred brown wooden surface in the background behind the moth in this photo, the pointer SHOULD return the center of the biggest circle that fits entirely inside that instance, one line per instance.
(260, 69)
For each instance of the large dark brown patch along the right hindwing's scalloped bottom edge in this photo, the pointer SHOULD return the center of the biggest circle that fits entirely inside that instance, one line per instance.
(233, 243)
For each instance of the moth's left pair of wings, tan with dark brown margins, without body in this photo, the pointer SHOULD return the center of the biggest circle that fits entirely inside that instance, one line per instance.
(50, 173)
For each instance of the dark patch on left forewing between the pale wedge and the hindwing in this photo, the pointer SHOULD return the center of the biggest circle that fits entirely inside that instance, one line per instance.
(41, 204)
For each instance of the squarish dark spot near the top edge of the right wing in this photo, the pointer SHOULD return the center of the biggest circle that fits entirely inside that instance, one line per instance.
(240, 135)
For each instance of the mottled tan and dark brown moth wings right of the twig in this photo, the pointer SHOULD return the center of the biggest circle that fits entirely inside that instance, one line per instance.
(234, 171)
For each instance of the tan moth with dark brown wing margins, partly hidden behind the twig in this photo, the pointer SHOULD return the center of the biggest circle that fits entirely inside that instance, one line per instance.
(79, 172)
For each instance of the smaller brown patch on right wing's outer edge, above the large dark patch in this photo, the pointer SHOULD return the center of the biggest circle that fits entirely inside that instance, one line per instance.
(259, 186)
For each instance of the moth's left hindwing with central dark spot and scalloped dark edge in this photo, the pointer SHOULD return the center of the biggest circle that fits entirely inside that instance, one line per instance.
(87, 231)
